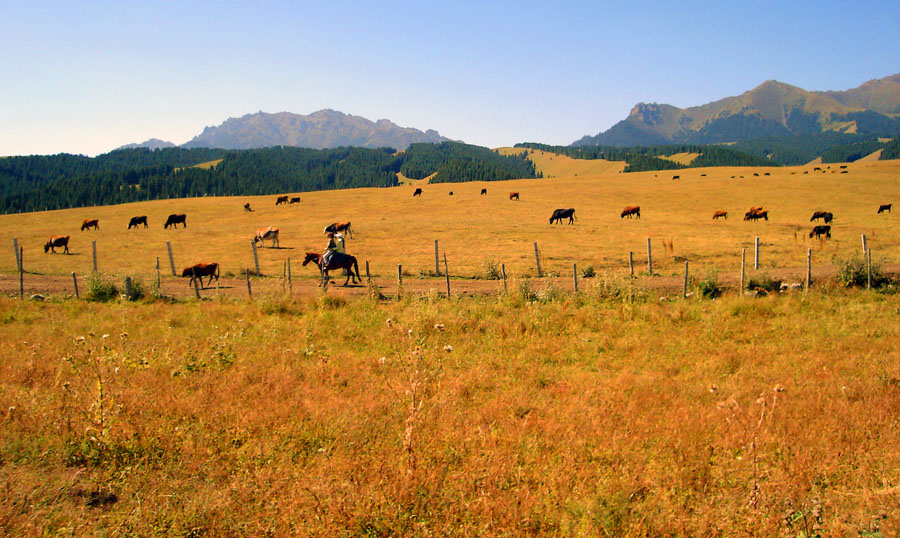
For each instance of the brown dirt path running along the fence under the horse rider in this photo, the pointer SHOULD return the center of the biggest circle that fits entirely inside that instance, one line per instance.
(62, 286)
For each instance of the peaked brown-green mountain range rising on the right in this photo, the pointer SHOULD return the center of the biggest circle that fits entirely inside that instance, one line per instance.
(772, 109)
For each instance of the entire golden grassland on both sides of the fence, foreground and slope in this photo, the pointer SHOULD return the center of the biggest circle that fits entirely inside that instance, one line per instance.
(611, 412)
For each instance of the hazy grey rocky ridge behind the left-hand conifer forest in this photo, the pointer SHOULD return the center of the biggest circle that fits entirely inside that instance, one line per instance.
(319, 130)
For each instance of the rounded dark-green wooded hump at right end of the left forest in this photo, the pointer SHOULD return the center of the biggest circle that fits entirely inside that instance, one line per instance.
(454, 162)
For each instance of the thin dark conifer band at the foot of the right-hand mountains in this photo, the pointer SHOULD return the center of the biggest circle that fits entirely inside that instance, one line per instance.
(648, 158)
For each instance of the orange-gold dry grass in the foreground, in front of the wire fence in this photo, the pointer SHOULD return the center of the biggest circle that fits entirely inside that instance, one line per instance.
(554, 416)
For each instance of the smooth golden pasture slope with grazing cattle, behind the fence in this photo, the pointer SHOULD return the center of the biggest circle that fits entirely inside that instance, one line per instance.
(391, 227)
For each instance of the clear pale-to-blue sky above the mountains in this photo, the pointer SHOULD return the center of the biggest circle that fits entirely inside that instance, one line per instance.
(87, 77)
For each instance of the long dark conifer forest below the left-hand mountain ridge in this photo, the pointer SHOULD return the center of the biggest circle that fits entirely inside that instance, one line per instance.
(38, 183)
